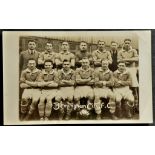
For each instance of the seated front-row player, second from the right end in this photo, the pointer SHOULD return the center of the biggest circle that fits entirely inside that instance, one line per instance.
(103, 82)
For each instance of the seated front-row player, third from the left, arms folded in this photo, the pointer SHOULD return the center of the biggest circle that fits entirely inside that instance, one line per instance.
(65, 94)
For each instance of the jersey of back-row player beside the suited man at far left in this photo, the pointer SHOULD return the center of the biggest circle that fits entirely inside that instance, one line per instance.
(47, 56)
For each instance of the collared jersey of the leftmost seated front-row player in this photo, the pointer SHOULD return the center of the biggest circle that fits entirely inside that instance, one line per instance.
(30, 75)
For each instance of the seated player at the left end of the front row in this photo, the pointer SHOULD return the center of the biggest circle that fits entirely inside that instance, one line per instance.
(29, 82)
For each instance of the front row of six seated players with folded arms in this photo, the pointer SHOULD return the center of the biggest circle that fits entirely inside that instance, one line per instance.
(66, 87)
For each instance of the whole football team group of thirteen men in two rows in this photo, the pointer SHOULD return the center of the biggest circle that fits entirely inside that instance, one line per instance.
(79, 85)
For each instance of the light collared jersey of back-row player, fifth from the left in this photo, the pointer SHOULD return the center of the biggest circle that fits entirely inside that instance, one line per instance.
(104, 55)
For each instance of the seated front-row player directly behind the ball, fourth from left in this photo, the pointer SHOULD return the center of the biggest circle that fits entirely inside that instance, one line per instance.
(84, 83)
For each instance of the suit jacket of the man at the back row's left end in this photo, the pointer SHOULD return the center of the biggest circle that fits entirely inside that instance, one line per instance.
(25, 56)
